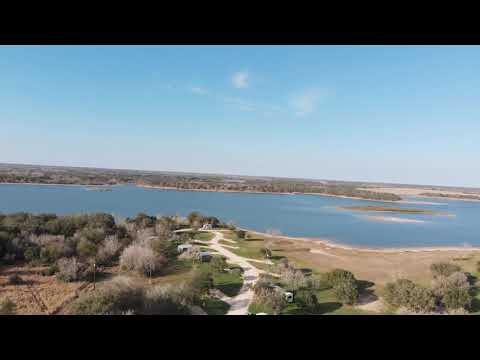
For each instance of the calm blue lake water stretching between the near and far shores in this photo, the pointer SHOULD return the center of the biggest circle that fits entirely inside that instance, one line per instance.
(293, 215)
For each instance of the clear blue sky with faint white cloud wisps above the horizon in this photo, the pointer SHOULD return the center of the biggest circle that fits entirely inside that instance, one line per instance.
(407, 114)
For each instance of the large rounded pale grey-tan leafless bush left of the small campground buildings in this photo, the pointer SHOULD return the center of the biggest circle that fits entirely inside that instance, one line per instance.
(141, 259)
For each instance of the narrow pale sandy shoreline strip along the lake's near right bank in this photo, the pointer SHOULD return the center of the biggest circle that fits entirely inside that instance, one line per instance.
(335, 245)
